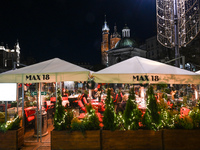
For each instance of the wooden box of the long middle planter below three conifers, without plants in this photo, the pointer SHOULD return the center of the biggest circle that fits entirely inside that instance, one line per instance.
(126, 140)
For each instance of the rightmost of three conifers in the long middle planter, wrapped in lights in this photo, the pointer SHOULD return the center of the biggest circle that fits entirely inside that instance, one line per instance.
(151, 119)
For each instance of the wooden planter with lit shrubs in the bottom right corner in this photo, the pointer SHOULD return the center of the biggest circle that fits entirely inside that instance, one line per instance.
(186, 133)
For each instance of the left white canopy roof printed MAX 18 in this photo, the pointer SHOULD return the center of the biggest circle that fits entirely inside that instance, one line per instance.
(53, 70)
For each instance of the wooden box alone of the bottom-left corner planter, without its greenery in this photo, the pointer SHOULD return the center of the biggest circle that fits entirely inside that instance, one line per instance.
(12, 139)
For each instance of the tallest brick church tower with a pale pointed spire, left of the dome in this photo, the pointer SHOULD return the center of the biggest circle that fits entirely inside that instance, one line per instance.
(105, 43)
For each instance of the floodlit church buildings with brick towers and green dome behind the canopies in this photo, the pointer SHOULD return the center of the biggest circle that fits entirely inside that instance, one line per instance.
(116, 48)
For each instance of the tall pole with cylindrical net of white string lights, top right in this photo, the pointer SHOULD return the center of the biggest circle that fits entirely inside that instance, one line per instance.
(177, 23)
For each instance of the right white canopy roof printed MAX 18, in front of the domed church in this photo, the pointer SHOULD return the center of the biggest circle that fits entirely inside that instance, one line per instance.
(141, 70)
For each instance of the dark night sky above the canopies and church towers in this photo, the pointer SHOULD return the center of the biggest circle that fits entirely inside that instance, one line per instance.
(71, 29)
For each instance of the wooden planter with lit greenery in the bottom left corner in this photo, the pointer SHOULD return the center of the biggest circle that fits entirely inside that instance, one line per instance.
(11, 134)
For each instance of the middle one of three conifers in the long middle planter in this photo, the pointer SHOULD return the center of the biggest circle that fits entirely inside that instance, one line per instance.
(132, 115)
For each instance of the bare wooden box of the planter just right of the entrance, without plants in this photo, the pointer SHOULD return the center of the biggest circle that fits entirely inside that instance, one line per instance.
(75, 140)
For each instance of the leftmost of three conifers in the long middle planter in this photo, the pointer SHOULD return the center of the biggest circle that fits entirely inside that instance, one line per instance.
(109, 114)
